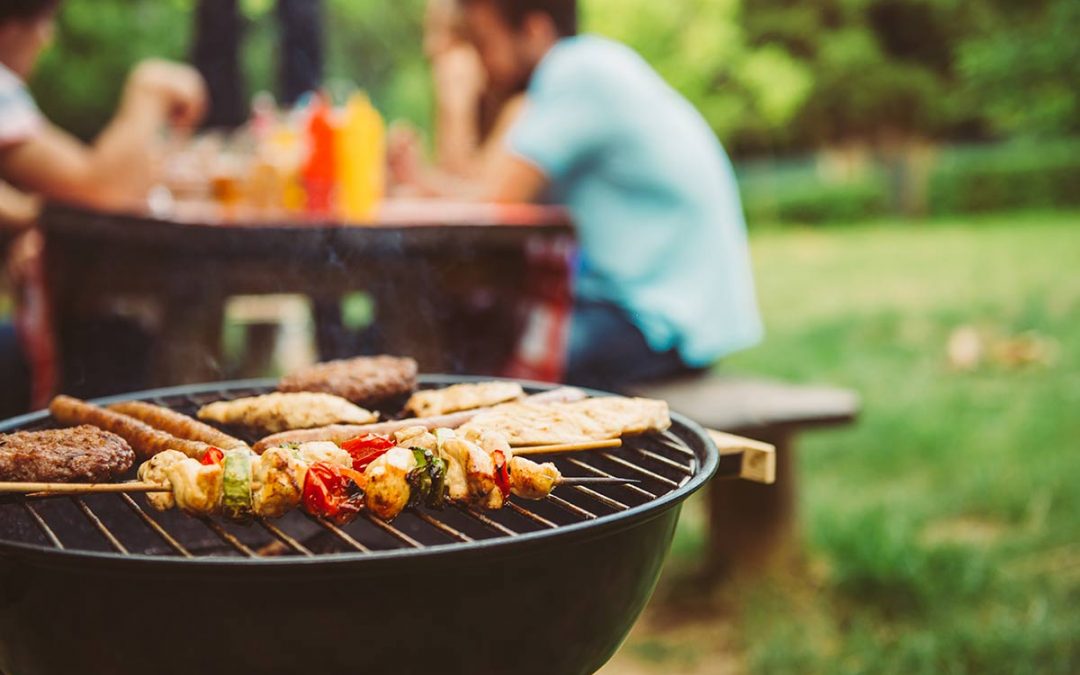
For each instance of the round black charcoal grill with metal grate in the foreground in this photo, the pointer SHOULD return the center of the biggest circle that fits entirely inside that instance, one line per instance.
(105, 585)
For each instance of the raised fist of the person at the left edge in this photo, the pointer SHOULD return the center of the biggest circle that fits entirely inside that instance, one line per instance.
(178, 90)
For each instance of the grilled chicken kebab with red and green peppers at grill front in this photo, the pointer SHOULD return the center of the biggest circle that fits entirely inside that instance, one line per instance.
(381, 474)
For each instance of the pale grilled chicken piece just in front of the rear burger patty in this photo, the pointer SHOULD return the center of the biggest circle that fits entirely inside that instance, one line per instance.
(283, 412)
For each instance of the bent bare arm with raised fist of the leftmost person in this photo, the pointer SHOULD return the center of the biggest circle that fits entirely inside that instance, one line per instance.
(118, 168)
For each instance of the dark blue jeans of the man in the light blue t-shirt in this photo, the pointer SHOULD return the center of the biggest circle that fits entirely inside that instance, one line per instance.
(607, 352)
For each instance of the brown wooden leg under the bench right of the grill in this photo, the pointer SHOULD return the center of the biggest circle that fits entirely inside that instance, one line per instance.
(752, 525)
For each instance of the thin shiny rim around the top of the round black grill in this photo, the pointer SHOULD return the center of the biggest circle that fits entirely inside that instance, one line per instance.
(708, 458)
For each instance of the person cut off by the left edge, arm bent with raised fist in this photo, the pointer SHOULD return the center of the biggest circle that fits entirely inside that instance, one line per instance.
(39, 159)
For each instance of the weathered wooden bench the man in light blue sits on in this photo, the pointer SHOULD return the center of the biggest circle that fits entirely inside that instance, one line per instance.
(751, 523)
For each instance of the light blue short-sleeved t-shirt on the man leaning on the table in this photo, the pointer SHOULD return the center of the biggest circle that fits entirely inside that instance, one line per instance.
(653, 195)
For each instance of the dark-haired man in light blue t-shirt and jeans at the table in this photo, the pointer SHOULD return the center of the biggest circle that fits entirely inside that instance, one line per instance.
(666, 285)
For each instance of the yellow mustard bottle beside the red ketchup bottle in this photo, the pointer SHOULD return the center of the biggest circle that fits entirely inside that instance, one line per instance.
(361, 156)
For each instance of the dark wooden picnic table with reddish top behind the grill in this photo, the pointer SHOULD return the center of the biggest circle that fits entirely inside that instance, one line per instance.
(434, 271)
